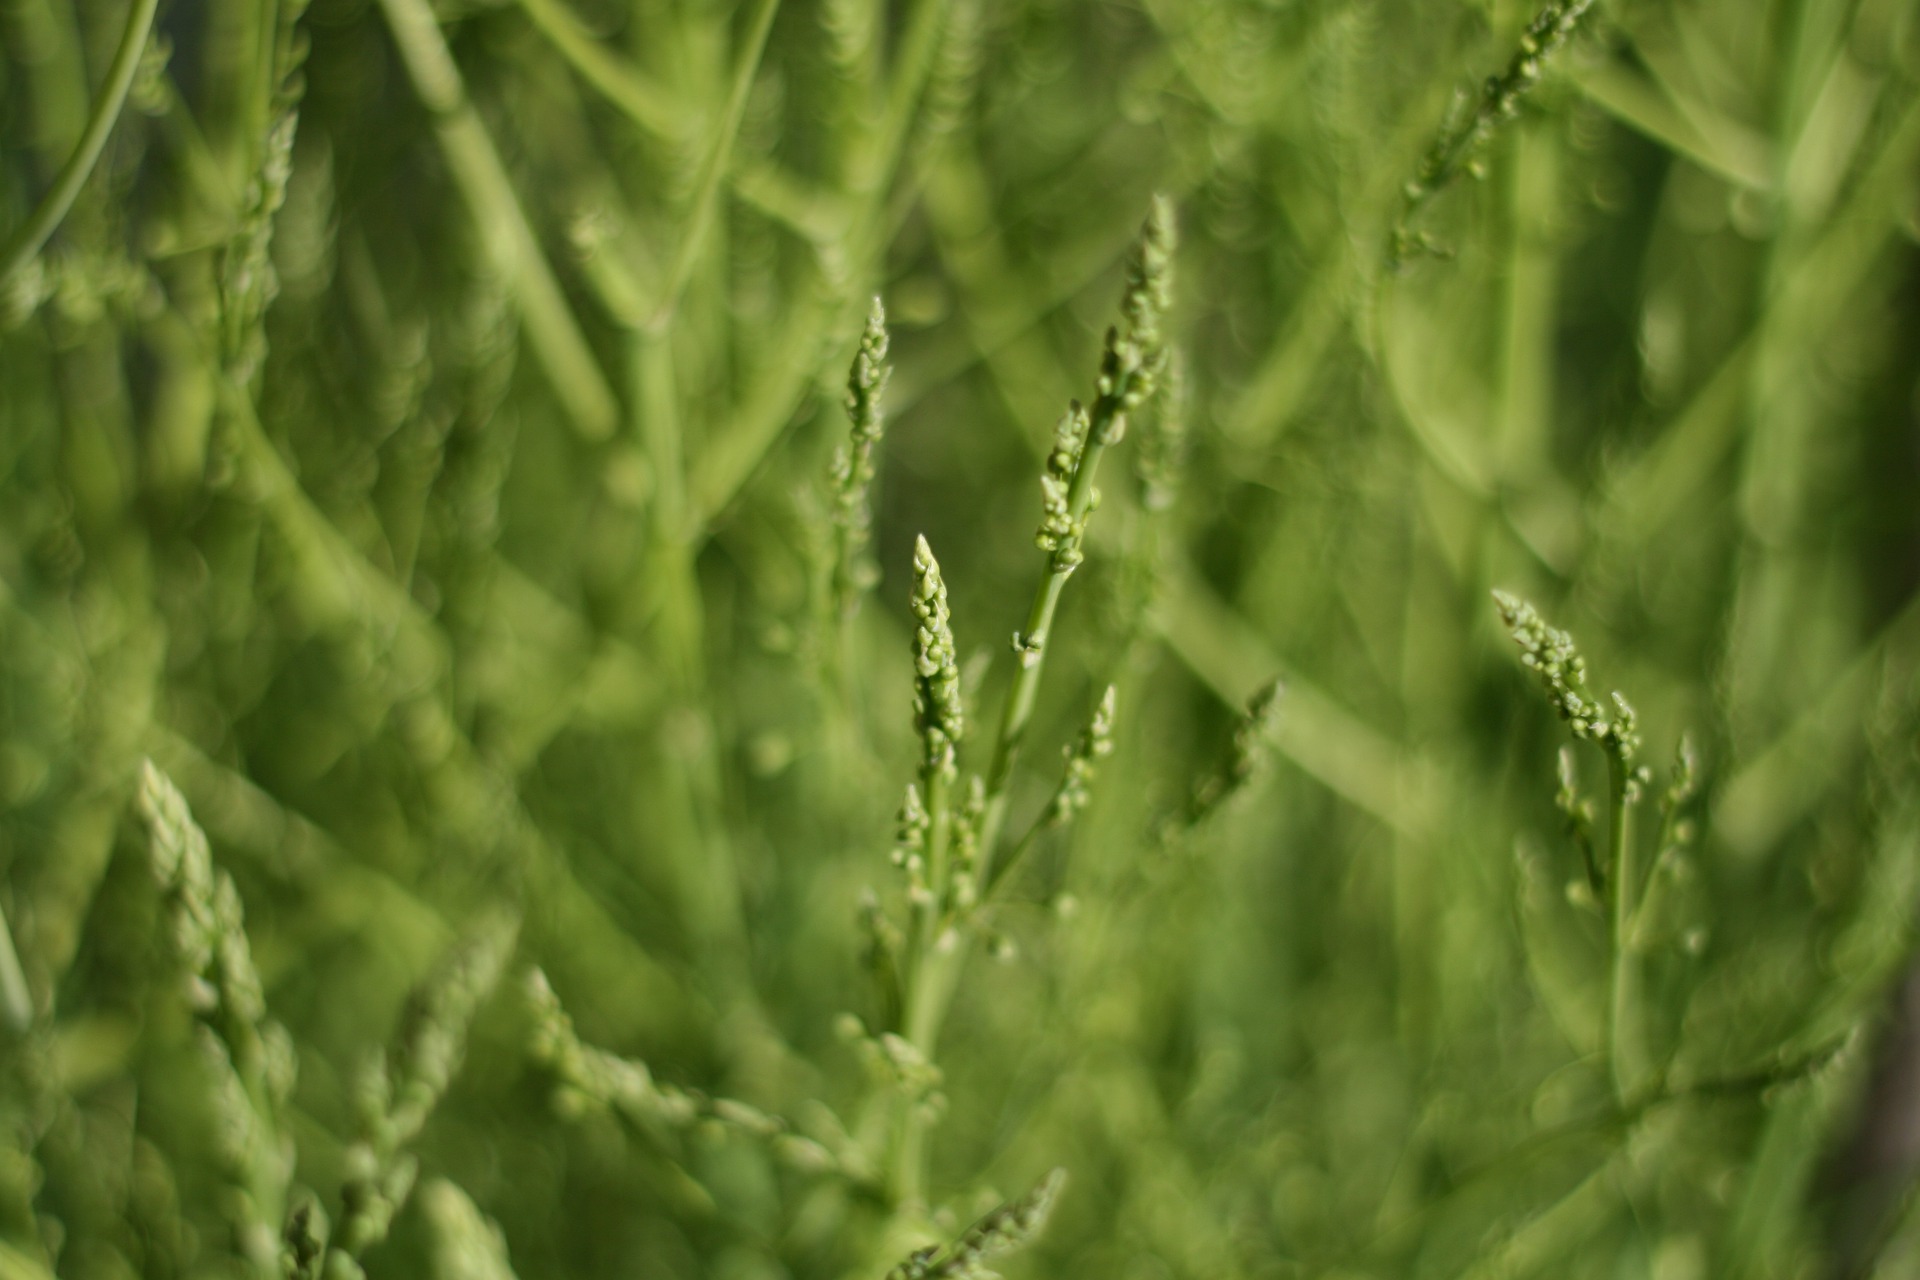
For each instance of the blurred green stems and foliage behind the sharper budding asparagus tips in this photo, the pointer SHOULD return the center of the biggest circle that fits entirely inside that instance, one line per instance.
(416, 437)
